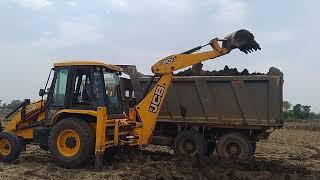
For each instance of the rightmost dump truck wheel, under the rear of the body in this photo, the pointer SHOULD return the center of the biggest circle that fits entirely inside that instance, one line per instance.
(234, 146)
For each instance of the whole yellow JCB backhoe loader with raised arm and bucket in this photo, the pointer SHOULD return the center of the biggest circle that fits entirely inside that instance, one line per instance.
(82, 113)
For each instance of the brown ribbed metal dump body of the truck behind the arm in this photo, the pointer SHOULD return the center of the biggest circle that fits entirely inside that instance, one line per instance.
(222, 101)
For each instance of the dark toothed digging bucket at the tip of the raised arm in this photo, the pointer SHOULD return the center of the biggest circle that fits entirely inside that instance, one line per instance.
(242, 39)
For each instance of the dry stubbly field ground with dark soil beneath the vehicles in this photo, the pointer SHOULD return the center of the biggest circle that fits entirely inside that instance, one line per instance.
(287, 154)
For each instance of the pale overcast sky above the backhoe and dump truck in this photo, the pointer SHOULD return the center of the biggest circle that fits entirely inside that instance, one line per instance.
(36, 33)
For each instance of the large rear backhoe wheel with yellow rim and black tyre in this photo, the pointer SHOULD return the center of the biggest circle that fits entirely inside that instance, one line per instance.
(71, 142)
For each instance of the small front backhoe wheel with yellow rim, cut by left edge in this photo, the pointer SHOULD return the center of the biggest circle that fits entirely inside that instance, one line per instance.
(10, 147)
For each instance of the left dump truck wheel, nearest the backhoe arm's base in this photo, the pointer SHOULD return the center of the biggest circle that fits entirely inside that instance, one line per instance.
(190, 143)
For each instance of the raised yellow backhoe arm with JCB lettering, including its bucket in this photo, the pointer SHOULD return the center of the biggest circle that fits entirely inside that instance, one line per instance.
(147, 110)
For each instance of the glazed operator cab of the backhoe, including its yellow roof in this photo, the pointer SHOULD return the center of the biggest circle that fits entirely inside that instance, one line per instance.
(84, 86)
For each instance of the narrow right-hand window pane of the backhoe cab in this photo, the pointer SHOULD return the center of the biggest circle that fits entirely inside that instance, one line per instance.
(112, 84)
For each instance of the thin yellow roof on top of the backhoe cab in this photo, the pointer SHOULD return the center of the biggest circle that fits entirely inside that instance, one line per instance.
(88, 63)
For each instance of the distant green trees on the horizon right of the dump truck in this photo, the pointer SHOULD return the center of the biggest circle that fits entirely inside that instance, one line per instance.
(298, 111)
